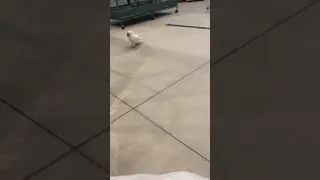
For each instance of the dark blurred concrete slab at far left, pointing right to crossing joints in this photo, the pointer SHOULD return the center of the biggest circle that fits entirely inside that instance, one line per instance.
(24, 147)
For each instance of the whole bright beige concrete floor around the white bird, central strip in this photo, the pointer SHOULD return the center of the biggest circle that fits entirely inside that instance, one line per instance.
(160, 95)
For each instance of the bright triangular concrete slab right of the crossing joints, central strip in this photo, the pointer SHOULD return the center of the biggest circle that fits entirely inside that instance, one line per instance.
(184, 110)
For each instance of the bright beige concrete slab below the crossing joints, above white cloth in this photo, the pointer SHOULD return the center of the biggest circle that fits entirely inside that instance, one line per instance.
(138, 146)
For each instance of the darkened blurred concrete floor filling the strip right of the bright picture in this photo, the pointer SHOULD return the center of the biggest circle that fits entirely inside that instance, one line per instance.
(265, 107)
